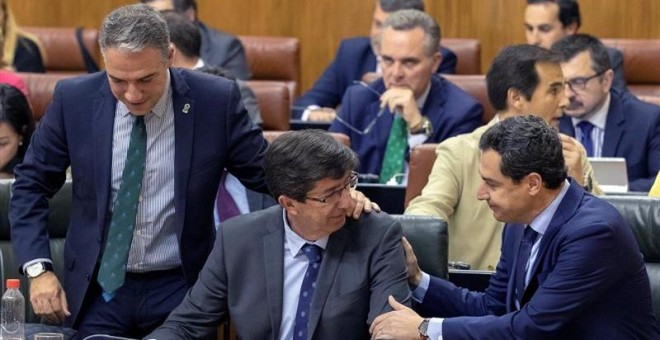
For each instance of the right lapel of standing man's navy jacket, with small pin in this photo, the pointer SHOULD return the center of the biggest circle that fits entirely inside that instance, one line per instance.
(184, 130)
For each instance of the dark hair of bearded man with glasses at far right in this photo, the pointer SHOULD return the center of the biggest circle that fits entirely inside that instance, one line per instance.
(572, 45)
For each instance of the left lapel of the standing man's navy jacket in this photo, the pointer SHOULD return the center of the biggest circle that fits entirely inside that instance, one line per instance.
(103, 116)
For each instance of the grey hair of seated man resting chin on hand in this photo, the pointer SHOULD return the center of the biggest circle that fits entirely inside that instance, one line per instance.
(409, 19)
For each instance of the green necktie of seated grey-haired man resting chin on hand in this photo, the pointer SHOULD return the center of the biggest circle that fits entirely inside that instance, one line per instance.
(395, 150)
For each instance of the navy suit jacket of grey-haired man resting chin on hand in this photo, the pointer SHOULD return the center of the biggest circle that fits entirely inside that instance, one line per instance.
(451, 111)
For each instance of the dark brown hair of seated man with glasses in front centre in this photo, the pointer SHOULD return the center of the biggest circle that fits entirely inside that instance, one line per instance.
(296, 160)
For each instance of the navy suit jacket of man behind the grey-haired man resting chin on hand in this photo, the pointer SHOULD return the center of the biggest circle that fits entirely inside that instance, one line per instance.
(354, 58)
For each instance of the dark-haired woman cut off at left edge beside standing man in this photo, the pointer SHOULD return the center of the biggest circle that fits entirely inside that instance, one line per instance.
(16, 127)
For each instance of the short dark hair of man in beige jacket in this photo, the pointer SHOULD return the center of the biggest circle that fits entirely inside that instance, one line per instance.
(515, 67)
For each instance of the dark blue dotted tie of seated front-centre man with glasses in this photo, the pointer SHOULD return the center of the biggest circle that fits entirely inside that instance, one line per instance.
(314, 255)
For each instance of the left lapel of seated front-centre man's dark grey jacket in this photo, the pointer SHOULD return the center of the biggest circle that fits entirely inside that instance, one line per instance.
(274, 270)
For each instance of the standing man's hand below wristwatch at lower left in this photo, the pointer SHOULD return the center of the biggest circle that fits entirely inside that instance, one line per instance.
(48, 298)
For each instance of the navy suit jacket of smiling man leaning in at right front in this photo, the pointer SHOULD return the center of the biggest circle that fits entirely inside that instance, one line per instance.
(588, 282)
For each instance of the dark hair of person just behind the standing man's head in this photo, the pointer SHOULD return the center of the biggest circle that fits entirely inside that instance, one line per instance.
(184, 34)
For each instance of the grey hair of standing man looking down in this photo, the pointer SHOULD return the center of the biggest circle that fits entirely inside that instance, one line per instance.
(133, 28)
